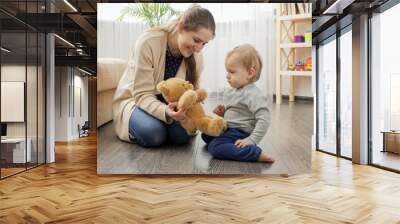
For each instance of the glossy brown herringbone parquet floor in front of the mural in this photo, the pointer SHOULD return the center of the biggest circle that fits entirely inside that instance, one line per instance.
(70, 191)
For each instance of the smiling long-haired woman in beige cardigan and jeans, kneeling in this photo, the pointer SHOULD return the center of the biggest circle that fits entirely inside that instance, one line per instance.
(170, 50)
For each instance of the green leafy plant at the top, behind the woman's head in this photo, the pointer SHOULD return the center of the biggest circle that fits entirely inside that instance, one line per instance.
(154, 14)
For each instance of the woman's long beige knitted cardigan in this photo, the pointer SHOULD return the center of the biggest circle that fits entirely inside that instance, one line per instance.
(137, 87)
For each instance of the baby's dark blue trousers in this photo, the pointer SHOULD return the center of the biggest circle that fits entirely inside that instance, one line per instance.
(223, 146)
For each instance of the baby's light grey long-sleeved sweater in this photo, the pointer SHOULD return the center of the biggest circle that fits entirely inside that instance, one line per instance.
(247, 109)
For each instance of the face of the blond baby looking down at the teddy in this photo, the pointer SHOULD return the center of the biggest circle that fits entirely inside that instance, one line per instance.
(237, 75)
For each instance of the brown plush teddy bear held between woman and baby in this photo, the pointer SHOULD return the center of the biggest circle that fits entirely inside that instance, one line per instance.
(181, 91)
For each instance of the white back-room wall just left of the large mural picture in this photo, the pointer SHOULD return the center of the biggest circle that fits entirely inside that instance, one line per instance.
(66, 121)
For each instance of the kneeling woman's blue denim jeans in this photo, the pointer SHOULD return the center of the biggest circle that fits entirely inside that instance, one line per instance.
(149, 131)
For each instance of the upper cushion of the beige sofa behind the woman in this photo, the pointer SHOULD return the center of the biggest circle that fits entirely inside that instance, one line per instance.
(109, 71)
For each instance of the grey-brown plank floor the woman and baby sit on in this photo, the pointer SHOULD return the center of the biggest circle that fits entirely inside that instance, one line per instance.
(288, 141)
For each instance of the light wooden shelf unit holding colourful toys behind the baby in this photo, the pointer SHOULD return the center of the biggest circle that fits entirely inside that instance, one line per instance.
(286, 50)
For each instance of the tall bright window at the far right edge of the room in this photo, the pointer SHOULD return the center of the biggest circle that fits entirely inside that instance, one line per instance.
(385, 87)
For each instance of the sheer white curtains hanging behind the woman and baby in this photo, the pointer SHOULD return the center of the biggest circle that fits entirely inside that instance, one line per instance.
(236, 24)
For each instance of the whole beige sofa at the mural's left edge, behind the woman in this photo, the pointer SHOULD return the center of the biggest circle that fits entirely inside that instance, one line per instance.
(109, 72)
